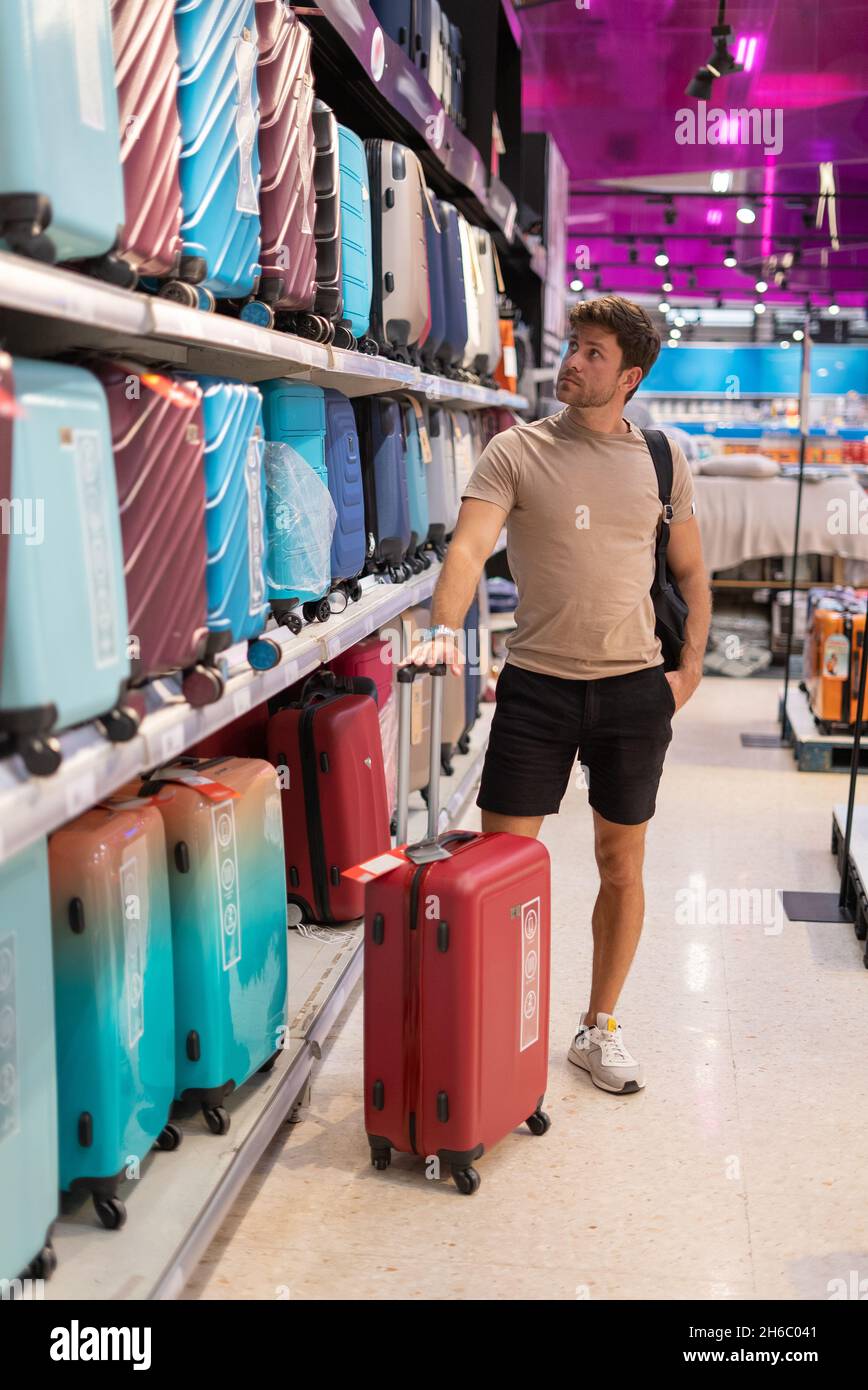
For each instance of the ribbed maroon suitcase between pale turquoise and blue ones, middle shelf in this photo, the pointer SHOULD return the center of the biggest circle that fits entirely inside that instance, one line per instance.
(158, 437)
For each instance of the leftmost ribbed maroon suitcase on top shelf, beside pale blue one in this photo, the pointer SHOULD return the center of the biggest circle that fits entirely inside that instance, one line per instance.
(147, 80)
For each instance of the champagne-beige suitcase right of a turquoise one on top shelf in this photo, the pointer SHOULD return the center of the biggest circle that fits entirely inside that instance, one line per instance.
(401, 306)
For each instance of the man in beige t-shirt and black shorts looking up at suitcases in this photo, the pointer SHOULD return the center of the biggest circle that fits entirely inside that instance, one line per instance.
(584, 676)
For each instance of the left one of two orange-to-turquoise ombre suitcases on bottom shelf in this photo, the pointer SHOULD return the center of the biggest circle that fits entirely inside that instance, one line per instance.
(113, 999)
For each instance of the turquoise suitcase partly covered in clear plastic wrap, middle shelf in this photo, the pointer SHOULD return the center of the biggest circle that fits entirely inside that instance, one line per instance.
(294, 414)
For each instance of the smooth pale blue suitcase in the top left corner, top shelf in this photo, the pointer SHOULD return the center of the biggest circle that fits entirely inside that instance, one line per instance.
(62, 188)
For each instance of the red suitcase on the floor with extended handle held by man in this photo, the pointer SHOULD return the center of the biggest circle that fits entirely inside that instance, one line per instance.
(457, 976)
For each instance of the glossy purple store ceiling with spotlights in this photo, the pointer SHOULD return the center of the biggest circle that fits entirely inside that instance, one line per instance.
(609, 83)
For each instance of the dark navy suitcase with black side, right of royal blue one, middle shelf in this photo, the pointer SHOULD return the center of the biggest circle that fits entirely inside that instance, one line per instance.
(387, 509)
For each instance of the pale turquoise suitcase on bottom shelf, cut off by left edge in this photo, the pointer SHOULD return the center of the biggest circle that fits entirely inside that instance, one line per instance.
(29, 1086)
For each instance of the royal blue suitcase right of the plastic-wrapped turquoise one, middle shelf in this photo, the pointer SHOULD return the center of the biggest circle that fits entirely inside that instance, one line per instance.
(344, 466)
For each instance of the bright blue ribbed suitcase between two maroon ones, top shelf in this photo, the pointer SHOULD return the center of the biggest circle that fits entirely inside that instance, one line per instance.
(220, 172)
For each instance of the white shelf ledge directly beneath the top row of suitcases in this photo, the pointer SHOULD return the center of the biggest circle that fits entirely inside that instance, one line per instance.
(48, 311)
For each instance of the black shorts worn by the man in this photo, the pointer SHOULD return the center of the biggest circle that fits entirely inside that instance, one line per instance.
(618, 729)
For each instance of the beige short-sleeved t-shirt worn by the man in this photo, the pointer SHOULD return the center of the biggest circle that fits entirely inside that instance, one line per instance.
(581, 534)
